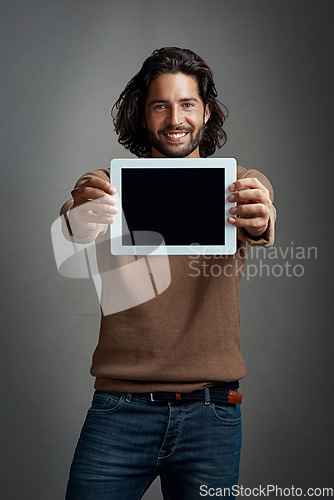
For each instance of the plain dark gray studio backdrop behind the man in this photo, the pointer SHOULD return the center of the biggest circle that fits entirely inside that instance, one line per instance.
(63, 65)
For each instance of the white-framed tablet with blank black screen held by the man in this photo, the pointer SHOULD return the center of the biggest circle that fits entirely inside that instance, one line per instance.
(173, 206)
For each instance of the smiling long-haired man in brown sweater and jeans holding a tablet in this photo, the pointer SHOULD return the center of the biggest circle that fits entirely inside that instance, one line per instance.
(167, 371)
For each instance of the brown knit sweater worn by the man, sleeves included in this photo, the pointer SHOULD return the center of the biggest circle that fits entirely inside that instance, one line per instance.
(184, 339)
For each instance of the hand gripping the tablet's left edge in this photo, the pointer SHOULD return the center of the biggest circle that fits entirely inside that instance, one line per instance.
(94, 204)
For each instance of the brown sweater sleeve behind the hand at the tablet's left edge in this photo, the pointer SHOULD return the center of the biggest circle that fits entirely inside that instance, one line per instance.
(65, 209)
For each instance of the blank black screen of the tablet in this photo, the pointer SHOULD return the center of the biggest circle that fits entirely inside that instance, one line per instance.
(184, 205)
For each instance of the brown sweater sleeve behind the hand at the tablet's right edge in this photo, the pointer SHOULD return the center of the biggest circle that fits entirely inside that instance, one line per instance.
(268, 237)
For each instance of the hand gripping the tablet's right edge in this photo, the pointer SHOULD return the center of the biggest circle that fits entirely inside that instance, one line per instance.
(253, 205)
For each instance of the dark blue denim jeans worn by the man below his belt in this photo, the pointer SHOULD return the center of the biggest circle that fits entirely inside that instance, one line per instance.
(127, 441)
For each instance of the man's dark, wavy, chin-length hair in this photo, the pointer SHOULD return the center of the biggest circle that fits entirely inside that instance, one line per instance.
(128, 111)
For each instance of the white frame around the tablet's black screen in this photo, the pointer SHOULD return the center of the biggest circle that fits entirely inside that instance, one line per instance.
(116, 229)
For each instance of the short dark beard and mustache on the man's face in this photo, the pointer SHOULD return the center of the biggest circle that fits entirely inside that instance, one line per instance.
(176, 150)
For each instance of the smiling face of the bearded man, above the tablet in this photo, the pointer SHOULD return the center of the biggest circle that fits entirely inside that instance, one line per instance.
(175, 116)
